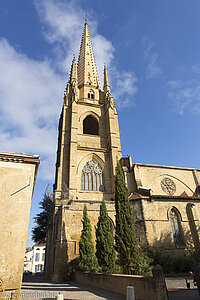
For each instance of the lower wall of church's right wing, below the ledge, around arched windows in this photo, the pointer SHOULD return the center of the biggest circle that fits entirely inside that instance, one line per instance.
(158, 227)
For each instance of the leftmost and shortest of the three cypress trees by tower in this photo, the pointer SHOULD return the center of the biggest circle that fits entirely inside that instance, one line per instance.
(88, 260)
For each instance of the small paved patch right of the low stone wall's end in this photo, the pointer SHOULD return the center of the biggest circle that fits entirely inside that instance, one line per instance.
(178, 291)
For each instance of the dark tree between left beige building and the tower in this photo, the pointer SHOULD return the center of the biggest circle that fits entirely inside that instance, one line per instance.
(42, 219)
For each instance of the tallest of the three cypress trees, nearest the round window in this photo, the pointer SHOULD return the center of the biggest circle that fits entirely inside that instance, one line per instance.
(131, 258)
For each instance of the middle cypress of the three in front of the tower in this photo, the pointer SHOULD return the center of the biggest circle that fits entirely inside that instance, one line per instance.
(105, 251)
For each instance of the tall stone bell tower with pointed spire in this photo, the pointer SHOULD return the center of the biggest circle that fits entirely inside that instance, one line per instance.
(88, 150)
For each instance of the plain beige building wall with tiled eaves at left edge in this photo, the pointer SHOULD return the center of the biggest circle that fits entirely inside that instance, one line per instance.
(17, 179)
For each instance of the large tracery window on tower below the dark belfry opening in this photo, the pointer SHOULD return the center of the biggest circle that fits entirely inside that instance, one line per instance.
(92, 177)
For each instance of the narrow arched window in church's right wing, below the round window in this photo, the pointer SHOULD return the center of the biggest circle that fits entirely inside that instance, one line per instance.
(176, 228)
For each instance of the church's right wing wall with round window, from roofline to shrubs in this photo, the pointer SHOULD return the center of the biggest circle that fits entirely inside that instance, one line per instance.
(155, 192)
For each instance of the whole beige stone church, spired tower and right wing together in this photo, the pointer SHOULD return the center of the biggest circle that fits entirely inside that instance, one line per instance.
(165, 200)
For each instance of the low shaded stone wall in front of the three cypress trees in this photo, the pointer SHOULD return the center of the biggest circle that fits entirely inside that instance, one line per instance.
(146, 288)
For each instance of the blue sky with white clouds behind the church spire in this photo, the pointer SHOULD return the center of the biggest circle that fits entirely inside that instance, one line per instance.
(152, 51)
